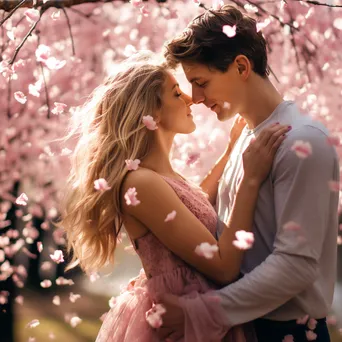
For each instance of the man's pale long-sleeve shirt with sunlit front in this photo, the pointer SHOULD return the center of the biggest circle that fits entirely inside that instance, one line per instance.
(287, 274)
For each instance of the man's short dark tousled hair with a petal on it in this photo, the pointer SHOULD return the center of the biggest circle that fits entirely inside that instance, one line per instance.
(204, 42)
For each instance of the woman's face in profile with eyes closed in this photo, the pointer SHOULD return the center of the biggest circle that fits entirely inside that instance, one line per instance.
(175, 114)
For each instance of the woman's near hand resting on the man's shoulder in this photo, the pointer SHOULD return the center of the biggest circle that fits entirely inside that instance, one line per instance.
(259, 155)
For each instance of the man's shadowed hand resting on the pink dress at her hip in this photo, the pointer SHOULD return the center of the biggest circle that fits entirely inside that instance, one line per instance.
(173, 319)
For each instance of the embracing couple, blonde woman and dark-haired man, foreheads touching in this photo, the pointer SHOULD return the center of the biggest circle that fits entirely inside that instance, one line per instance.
(250, 254)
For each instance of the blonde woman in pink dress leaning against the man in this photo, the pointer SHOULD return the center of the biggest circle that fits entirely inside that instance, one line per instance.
(165, 216)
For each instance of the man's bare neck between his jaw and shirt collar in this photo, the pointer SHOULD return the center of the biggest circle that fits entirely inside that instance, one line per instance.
(263, 99)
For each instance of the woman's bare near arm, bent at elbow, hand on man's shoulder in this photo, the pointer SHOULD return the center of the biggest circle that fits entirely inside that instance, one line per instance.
(183, 234)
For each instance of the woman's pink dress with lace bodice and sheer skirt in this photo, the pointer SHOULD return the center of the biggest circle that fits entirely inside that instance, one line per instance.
(164, 272)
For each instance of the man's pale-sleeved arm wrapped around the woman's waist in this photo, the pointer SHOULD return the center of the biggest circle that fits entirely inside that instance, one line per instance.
(301, 196)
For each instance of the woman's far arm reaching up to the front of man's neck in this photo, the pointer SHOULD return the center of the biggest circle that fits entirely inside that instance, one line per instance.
(210, 182)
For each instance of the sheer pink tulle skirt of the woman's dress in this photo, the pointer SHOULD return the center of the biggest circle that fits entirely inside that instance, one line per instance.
(126, 321)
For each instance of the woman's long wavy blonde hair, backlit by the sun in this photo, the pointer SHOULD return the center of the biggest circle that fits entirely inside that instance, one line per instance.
(111, 131)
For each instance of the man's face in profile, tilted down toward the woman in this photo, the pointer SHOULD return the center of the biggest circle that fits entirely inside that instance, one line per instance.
(222, 92)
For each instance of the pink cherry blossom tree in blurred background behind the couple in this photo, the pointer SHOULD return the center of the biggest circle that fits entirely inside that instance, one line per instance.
(53, 53)
